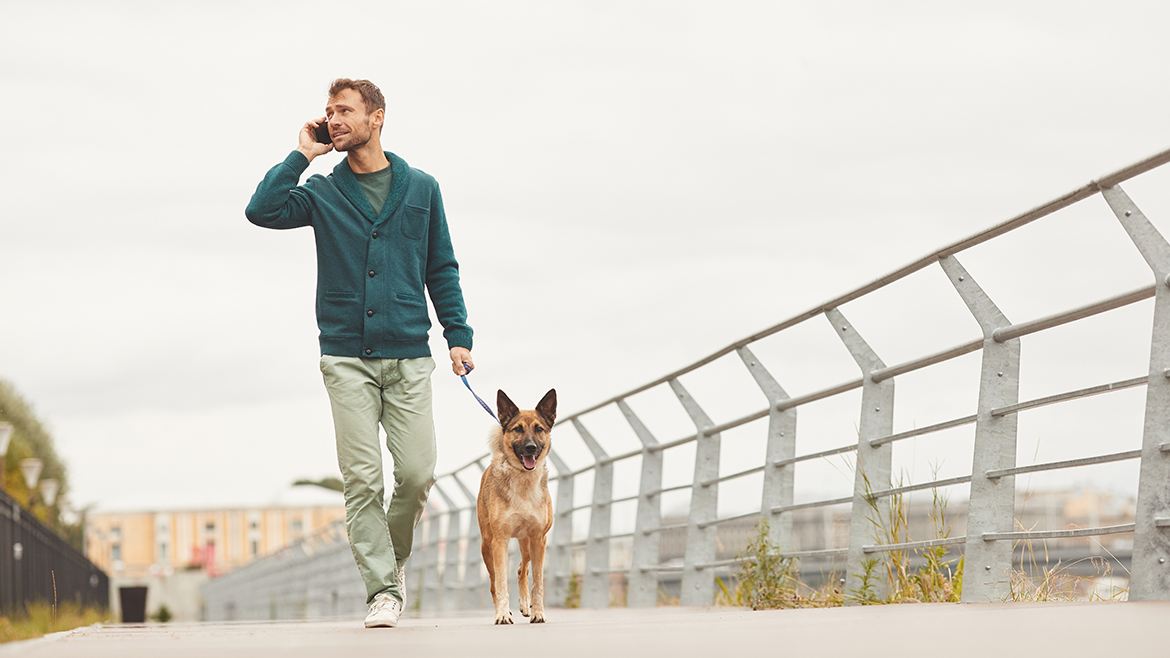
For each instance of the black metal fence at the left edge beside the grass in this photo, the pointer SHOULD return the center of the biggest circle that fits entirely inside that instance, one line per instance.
(32, 558)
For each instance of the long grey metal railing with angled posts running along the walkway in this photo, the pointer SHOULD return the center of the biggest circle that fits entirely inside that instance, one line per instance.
(446, 571)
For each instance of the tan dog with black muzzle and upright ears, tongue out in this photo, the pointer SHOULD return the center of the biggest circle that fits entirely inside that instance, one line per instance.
(514, 503)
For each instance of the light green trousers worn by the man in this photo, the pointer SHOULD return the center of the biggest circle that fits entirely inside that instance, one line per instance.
(366, 393)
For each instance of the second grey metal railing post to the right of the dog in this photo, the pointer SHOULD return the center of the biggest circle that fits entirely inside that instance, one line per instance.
(596, 581)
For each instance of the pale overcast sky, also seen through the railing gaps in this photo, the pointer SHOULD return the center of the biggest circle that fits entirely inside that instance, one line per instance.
(630, 187)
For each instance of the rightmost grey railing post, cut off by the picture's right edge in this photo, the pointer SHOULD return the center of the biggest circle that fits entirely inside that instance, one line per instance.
(1151, 574)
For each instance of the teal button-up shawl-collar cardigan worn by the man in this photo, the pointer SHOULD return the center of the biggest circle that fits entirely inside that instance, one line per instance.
(371, 270)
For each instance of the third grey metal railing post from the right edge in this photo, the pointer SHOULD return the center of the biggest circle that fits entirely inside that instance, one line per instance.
(872, 472)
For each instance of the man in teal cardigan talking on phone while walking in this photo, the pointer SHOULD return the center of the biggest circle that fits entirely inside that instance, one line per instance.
(382, 236)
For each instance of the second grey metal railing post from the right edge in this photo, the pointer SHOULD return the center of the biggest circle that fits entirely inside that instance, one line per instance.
(993, 502)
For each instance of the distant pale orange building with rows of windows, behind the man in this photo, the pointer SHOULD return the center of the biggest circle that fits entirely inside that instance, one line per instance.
(174, 552)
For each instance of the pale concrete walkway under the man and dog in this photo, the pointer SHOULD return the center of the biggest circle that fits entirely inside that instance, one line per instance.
(1133, 630)
